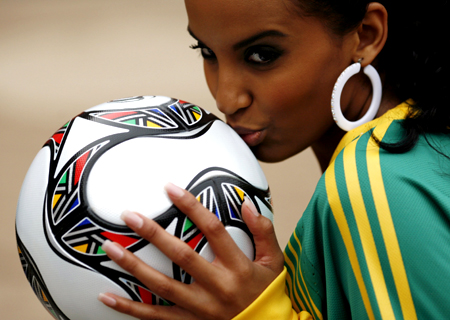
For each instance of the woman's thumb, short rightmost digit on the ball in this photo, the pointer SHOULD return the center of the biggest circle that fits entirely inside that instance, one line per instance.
(268, 252)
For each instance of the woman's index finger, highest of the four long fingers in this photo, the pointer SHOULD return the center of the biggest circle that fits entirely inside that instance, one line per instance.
(219, 239)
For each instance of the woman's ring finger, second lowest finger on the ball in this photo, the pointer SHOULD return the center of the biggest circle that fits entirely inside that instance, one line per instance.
(155, 281)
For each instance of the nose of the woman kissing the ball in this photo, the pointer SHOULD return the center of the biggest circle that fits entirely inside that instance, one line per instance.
(232, 92)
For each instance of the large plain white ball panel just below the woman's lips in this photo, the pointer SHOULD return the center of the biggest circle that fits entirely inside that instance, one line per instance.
(132, 175)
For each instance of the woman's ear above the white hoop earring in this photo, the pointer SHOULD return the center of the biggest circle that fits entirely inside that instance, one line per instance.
(372, 33)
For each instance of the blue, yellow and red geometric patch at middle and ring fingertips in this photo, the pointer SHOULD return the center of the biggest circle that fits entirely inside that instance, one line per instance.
(87, 238)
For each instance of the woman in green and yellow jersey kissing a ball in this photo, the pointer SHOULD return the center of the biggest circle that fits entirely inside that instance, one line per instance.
(372, 242)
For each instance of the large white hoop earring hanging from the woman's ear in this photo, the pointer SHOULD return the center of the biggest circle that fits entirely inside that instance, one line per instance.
(336, 111)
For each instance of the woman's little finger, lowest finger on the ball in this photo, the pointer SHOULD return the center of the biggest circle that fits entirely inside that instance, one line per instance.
(143, 311)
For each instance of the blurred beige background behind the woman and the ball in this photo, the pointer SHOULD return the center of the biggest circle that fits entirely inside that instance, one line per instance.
(58, 58)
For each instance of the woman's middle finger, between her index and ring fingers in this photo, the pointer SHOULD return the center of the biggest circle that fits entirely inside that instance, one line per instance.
(176, 250)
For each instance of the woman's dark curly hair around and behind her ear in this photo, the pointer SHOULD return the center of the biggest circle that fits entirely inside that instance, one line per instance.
(413, 60)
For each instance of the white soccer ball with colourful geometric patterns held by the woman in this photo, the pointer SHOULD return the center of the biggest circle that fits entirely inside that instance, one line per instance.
(119, 156)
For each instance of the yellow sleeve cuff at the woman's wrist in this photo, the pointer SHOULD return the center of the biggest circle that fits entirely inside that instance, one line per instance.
(273, 303)
